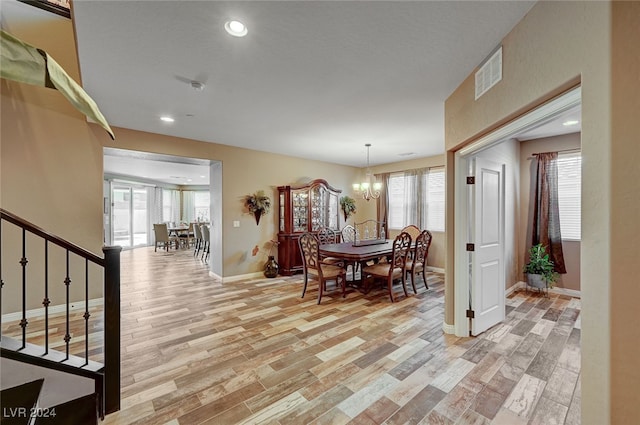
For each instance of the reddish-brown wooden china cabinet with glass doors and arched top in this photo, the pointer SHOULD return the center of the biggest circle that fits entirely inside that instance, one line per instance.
(302, 209)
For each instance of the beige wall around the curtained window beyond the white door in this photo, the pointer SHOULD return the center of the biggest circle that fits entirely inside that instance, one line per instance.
(571, 249)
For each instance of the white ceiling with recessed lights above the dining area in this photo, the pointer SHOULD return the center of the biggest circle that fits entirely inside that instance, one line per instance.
(312, 79)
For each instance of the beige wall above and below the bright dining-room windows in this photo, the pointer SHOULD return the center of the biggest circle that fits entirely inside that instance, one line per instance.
(437, 249)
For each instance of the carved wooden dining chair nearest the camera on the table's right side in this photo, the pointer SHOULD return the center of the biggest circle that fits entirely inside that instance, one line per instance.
(394, 269)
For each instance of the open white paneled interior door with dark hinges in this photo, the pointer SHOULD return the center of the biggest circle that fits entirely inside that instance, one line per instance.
(487, 286)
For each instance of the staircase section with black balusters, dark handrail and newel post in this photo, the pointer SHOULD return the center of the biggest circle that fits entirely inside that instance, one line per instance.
(55, 341)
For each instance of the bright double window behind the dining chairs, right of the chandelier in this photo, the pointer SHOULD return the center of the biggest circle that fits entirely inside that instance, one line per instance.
(407, 195)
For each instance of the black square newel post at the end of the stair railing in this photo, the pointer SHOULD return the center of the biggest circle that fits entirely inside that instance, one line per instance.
(112, 328)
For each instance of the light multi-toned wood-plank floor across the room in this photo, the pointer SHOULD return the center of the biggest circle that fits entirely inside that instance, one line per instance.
(196, 351)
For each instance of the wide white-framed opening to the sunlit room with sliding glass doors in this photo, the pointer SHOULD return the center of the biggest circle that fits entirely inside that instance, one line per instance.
(142, 189)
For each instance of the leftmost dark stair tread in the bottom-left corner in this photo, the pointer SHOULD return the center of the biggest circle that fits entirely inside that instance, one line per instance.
(17, 402)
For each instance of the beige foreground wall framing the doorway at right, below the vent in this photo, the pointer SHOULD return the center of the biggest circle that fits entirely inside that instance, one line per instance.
(557, 45)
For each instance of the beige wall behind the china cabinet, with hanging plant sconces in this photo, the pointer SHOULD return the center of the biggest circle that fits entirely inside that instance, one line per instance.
(244, 171)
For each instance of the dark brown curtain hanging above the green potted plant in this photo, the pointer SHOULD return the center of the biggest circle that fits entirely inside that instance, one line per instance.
(546, 216)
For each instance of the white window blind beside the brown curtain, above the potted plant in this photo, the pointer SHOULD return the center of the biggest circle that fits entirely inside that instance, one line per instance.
(569, 183)
